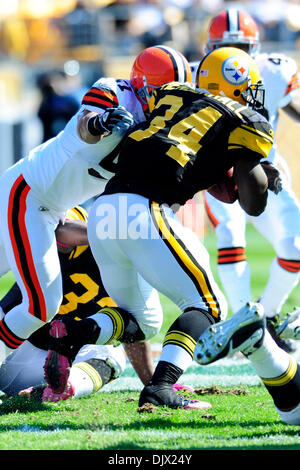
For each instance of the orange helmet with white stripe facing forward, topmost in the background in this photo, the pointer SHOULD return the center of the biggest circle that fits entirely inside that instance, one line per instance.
(233, 28)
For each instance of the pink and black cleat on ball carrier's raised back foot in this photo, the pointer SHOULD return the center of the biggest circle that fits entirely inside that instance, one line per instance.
(57, 366)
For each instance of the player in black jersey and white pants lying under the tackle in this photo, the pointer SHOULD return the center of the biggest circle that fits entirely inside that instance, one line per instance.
(84, 294)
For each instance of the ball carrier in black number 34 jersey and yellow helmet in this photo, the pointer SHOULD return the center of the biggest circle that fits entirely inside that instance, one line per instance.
(189, 142)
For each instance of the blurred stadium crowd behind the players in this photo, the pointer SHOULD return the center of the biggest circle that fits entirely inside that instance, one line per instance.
(61, 47)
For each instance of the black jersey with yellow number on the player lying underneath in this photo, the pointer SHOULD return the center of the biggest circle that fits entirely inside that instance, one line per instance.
(83, 291)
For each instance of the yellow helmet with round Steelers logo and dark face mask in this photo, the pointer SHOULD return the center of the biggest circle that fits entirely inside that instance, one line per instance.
(231, 72)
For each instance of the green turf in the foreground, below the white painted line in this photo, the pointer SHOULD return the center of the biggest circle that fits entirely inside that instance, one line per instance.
(241, 419)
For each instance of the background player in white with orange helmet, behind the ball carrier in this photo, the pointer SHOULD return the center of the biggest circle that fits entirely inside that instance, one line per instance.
(280, 222)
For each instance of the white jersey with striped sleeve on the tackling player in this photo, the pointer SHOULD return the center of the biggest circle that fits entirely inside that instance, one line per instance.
(65, 171)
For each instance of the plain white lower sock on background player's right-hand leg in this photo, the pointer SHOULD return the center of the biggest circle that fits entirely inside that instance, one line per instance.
(281, 283)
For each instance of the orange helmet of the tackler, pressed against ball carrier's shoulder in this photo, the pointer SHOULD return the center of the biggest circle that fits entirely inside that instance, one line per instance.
(156, 66)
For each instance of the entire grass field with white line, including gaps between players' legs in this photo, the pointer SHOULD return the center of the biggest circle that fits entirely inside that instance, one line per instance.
(242, 416)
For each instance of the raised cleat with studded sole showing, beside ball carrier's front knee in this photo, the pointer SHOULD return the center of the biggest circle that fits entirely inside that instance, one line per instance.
(244, 332)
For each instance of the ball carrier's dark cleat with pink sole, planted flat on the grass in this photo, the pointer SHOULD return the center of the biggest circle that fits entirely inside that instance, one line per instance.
(164, 395)
